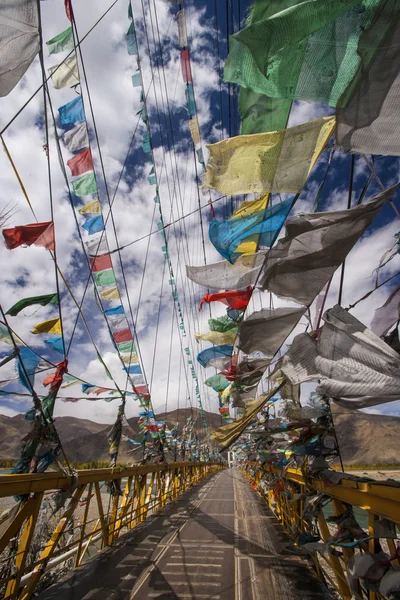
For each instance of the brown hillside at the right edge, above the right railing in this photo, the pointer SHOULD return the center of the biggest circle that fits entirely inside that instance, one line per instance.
(366, 439)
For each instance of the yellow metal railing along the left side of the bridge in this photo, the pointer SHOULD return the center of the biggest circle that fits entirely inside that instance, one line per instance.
(62, 519)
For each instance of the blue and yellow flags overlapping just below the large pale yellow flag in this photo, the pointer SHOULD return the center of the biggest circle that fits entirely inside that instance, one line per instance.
(251, 219)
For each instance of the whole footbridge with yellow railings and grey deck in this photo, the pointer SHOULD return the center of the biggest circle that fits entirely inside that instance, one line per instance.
(184, 530)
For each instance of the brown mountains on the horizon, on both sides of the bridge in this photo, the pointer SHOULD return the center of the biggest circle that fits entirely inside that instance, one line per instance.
(364, 439)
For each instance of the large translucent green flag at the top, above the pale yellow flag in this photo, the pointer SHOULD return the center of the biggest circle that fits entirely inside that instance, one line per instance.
(307, 51)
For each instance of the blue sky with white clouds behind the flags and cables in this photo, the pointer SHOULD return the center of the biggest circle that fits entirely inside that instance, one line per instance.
(111, 105)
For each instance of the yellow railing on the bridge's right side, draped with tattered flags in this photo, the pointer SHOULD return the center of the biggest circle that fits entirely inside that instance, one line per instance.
(286, 494)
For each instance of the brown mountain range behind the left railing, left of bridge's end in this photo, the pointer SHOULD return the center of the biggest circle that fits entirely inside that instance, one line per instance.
(86, 441)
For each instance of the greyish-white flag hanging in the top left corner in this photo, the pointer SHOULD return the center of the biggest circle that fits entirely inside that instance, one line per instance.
(19, 41)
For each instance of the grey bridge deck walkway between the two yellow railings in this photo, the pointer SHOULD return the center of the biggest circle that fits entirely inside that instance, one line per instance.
(219, 542)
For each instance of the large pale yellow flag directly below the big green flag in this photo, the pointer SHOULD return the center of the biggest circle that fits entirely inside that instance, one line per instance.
(278, 161)
